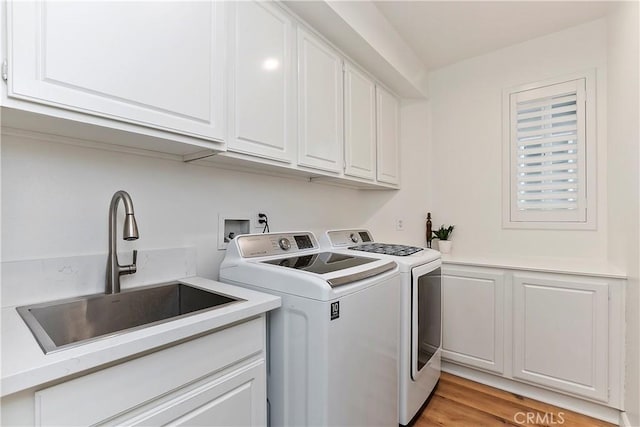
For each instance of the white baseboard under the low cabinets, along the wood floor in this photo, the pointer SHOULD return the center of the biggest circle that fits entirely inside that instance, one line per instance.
(595, 410)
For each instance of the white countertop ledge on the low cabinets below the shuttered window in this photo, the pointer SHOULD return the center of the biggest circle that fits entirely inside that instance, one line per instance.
(541, 264)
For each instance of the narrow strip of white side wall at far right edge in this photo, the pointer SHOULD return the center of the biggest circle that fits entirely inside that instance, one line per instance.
(624, 186)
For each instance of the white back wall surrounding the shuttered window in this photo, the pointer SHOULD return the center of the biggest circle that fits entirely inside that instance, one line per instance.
(466, 100)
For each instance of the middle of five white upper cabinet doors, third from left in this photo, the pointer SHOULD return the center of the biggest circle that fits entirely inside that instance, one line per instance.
(320, 137)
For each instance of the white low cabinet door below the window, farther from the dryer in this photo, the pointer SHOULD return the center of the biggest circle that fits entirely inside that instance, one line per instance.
(560, 335)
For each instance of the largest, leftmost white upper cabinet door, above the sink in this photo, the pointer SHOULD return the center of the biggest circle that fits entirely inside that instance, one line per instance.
(156, 64)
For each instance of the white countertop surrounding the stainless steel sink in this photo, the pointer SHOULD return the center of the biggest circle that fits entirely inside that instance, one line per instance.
(24, 364)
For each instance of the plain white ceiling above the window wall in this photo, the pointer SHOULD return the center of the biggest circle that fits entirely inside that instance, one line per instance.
(444, 32)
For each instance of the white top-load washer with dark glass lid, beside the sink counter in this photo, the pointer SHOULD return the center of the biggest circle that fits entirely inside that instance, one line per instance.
(333, 345)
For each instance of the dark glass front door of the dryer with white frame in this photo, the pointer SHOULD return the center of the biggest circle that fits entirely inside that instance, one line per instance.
(426, 315)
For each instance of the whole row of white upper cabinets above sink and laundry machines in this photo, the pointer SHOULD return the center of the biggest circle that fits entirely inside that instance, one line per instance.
(192, 78)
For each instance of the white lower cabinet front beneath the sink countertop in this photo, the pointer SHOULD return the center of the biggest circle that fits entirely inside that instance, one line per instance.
(215, 380)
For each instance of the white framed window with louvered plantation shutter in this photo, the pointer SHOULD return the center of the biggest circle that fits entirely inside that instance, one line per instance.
(547, 149)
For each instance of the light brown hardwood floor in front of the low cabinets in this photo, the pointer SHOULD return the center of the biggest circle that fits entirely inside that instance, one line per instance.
(458, 402)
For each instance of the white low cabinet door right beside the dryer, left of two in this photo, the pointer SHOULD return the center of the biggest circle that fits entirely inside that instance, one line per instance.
(473, 318)
